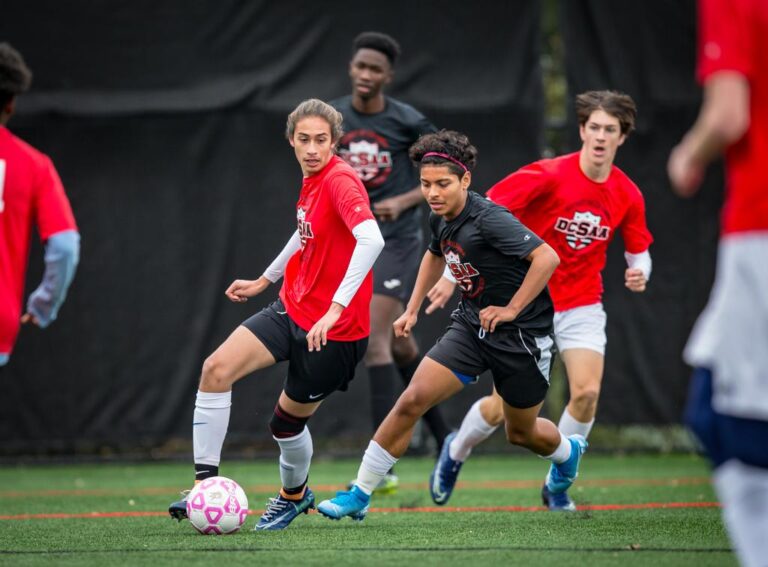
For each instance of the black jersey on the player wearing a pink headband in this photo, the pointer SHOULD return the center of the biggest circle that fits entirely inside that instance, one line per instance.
(485, 248)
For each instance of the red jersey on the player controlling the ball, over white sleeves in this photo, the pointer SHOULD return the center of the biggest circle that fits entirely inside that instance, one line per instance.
(331, 203)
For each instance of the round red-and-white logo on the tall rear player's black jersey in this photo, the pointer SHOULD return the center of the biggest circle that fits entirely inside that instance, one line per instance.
(369, 155)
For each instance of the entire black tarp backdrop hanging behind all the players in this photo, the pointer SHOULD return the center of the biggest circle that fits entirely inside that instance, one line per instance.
(166, 124)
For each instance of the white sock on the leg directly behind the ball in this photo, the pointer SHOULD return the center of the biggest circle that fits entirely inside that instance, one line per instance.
(209, 426)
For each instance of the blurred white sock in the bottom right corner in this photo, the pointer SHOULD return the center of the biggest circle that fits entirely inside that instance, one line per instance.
(743, 491)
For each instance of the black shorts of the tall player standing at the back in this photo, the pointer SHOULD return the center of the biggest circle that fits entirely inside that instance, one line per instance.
(394, 272)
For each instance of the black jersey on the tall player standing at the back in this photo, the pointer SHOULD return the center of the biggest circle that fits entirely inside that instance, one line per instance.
(376, 146)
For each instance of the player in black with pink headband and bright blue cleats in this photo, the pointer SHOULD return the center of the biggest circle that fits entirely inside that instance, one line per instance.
(503, 323)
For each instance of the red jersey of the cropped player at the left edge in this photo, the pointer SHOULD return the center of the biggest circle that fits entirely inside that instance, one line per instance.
(30, 192)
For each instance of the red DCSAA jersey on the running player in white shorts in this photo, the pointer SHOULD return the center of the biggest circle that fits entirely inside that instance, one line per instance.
(578, 218)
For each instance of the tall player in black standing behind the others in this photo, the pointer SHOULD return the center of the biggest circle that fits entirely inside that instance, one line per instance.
(378, 130)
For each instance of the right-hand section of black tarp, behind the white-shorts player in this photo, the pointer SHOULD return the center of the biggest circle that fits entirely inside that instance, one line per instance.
(648, 50)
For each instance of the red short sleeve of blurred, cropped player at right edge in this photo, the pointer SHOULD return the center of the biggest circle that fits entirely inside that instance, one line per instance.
(723, 43)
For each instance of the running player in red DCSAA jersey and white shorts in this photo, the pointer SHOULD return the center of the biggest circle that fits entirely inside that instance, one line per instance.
(576, 203)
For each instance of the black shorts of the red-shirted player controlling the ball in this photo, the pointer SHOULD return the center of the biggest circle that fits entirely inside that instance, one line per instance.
(312, 376)
